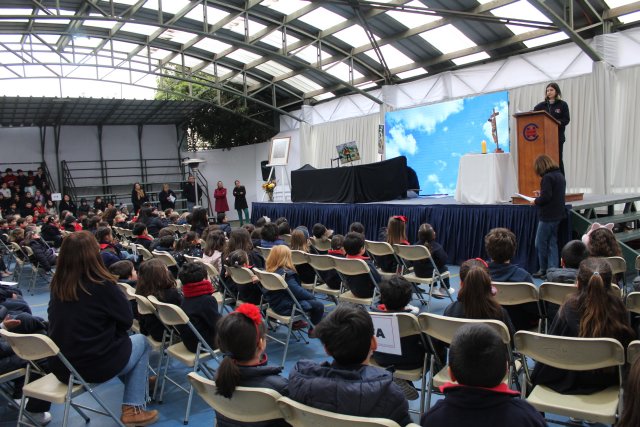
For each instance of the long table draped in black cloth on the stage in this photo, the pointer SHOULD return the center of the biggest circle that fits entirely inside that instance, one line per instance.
(374, 182)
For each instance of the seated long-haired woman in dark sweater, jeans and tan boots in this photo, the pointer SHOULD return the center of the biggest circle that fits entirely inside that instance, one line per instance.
(89, 320)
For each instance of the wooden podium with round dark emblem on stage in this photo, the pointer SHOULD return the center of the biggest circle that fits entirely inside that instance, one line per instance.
(537, 134)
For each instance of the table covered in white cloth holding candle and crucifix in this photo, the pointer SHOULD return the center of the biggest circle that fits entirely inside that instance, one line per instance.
(486, 179)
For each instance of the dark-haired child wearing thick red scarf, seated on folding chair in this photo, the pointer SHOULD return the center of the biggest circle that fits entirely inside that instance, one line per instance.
(199, 304)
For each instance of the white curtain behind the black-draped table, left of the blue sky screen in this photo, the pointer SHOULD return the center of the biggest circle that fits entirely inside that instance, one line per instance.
(319, 141)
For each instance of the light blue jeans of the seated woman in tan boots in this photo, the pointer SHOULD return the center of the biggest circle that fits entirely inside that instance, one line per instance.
(134, 374)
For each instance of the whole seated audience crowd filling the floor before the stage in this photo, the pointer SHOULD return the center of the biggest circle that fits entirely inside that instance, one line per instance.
(85, 250)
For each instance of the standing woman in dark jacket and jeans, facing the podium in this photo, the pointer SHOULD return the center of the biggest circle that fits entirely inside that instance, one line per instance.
(550, 202)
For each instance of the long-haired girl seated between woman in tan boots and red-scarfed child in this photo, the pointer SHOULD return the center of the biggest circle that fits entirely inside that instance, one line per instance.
(155, 279)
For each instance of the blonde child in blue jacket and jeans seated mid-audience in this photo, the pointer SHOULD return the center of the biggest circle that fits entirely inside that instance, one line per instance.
(279, 261)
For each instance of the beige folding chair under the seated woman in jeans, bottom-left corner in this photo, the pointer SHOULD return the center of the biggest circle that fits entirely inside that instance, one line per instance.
(33, 347)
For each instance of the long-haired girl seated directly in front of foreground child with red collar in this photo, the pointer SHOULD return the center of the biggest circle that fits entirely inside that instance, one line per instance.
(476, 299)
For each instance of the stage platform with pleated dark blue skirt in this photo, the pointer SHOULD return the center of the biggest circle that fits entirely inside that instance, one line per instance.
(459, 228)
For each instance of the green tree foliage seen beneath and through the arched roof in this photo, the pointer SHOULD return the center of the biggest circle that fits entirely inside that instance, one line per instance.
(212, 126)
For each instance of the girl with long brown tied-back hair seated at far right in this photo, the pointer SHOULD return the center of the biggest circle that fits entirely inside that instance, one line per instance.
(596, 310)
